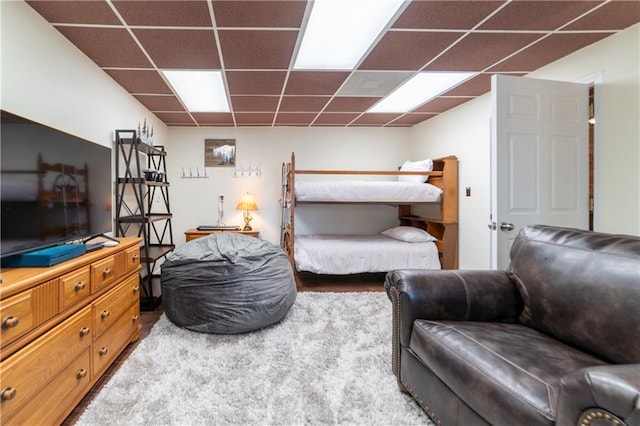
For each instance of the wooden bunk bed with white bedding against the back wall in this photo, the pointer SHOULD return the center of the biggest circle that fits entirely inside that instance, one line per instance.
(335, 256)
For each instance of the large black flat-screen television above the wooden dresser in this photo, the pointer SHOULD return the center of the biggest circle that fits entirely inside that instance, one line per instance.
(54, 187)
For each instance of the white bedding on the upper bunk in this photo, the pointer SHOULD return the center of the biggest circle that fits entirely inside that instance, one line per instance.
(363, 191)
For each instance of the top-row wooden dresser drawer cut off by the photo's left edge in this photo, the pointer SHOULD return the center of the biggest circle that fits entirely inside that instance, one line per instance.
(16, 315)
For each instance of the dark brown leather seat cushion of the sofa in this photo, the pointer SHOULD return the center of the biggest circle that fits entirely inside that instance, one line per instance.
(492, 365)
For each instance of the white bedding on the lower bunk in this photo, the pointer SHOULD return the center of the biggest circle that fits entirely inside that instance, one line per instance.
(353, 254)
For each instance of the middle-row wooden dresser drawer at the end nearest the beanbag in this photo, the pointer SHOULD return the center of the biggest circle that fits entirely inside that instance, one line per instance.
(109, 307)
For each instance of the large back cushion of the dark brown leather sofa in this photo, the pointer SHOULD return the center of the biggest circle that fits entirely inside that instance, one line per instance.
(581, 287)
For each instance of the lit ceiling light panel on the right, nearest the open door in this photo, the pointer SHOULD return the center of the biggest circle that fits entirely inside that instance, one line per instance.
(419, 89)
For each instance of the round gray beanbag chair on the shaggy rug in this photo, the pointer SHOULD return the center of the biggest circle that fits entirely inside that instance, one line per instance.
(227, 283)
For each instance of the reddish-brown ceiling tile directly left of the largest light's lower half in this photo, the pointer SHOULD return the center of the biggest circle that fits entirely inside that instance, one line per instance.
(257, 49)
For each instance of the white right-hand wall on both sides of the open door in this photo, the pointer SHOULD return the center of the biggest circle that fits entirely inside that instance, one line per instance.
(465, 132)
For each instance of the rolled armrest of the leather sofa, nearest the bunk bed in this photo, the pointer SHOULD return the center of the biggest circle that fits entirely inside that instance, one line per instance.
(454, 295)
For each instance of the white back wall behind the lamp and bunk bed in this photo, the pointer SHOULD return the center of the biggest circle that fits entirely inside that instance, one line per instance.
(194, 201)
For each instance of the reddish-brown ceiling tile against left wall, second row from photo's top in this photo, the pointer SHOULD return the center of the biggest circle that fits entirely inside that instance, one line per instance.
(107, 47)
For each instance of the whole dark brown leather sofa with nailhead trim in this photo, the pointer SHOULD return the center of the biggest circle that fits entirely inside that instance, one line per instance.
(555, 339)
